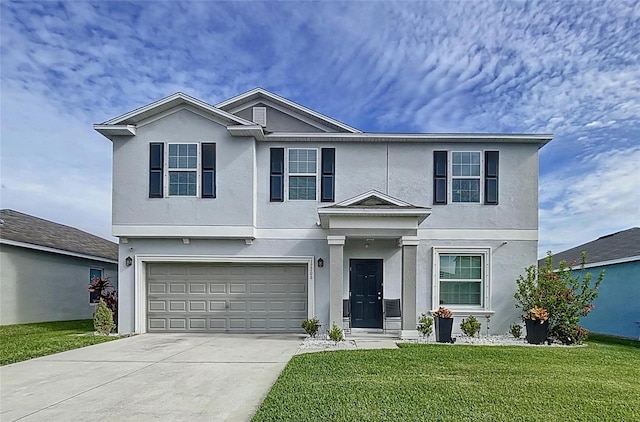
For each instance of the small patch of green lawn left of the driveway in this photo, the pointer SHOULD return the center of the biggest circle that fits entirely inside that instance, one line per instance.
(26, 341)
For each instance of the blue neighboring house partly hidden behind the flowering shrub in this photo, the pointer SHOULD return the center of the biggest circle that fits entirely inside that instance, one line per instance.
(617, 307)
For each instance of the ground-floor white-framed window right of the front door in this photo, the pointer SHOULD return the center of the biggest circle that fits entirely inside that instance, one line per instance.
(461, 278)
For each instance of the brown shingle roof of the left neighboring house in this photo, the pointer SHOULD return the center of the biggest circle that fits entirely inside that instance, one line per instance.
(26, 228)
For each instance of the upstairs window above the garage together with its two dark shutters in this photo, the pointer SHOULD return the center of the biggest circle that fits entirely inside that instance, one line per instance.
(187, 169)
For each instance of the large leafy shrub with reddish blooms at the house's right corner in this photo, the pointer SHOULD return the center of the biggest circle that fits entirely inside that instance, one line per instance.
(564, 296)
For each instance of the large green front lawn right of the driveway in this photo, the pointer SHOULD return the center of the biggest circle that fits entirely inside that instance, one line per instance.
(459, 383)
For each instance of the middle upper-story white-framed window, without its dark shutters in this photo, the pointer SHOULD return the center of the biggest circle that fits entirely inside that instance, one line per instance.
(302, 174)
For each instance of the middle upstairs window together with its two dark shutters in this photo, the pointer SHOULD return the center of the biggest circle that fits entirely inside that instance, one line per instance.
(303, 174)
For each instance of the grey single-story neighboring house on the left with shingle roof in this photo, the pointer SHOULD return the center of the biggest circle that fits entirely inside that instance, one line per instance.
(45, 269)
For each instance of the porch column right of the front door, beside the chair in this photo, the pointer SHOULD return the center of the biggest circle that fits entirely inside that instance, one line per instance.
(409, 275)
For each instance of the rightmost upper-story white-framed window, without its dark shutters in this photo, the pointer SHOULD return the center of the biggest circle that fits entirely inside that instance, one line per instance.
(466, 176)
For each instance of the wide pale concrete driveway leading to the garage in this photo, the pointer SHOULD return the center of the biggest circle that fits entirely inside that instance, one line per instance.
(213, 377)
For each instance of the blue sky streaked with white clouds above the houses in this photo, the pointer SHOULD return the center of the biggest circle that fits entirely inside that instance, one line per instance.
(569, 68)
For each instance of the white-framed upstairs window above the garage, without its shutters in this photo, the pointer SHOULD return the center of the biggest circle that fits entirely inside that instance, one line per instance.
(183, 168)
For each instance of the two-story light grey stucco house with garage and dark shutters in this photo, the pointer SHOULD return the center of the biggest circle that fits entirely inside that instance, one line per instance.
(255, 213)
